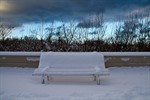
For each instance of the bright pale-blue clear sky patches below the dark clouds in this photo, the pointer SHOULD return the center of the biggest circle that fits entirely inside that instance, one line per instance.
(26, 29)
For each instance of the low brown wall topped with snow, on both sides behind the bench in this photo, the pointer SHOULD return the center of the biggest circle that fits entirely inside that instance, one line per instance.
(31, 59)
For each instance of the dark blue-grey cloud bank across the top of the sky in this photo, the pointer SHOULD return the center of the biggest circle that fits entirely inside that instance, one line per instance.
(24, 11)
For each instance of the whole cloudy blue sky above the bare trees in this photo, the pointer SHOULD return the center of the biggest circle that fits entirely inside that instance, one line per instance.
(28, 14)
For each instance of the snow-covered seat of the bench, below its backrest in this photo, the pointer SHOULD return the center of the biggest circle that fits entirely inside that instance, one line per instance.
(70, 71)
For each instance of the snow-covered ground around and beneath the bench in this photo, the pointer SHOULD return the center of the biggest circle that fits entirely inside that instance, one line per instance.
(124, 83)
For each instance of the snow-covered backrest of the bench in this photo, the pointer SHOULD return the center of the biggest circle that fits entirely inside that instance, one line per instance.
(72, 59)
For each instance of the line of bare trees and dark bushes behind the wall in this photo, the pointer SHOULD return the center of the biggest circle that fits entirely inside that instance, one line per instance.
(132, 34)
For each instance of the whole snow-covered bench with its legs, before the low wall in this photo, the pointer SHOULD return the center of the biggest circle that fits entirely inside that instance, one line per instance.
(71, 63)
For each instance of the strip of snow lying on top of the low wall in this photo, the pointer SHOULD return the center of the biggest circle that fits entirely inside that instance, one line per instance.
(104, 53)
